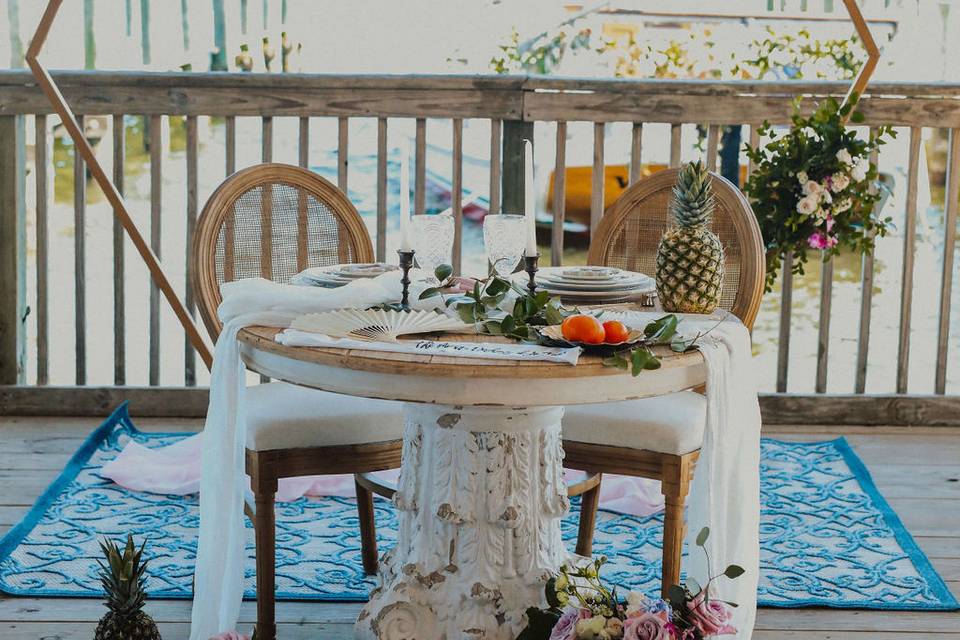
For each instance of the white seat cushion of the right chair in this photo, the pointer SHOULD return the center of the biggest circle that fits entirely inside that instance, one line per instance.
(666, 424)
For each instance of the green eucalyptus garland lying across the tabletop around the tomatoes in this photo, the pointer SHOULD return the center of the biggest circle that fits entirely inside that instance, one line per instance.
(483, 306)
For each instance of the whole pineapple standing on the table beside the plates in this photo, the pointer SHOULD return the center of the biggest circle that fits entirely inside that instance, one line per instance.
(690, 257)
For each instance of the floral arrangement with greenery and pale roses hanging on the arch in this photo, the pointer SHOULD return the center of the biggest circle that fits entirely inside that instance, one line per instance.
(814, 187)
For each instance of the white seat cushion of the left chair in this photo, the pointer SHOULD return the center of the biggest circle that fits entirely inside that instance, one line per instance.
(287, 416)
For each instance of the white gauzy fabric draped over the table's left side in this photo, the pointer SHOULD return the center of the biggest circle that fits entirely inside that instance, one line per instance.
(218, 588)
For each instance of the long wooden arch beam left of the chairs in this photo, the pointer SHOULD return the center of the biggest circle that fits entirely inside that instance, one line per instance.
(62, 109)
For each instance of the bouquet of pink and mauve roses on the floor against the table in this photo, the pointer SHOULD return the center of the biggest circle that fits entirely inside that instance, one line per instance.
(581, 607)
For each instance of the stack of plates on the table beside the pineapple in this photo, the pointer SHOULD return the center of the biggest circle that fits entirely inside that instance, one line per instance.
(595, 285)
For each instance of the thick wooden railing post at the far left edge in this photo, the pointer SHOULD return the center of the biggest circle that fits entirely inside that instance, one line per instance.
(13, 251)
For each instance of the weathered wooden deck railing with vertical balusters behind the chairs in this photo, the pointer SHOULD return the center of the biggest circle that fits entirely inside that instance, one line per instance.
(513, 105)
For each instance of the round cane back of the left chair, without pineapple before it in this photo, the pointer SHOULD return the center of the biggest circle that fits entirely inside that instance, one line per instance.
(272, 221)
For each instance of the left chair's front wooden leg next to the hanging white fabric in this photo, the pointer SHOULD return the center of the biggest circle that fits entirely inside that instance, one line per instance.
(265, 533)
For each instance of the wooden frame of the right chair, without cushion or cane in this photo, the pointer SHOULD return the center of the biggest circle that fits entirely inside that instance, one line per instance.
(674, 471)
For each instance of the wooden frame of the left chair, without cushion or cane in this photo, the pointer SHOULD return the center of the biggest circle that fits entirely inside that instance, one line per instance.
(268, 466)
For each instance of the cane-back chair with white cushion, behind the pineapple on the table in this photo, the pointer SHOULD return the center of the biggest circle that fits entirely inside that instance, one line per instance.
(660, 438)
